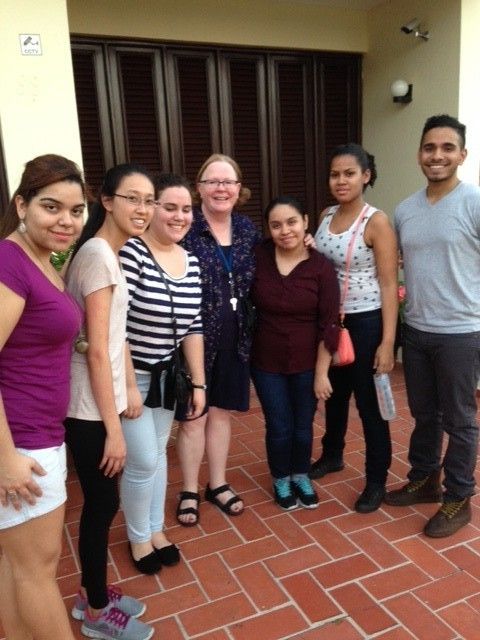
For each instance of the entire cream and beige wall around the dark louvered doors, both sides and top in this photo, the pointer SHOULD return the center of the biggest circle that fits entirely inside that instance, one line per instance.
(37, 104)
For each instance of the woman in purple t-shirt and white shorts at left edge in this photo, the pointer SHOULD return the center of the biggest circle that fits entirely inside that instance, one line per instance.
(39, 322)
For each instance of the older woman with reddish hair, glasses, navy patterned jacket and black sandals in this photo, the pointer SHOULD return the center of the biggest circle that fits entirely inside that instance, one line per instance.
(223, 241)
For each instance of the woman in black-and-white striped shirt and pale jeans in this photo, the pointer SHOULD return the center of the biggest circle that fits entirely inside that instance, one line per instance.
(152, 338)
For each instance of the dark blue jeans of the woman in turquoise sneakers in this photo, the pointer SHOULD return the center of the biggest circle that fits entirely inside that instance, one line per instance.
(288, 404)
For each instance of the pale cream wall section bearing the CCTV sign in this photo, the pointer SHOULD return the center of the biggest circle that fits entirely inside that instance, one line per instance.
(37, 99)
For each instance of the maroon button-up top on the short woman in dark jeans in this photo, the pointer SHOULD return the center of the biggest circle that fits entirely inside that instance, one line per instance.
(294, 312)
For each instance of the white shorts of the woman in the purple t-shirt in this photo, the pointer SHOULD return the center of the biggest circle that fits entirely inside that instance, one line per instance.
(54, 493)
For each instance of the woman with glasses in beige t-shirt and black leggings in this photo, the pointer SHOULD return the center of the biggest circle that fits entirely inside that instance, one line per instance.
(99, 393)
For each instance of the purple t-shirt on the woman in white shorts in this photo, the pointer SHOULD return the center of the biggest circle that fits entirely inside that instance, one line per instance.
(35, 360)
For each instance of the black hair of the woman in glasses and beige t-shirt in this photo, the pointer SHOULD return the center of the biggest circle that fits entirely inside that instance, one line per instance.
(111, 182)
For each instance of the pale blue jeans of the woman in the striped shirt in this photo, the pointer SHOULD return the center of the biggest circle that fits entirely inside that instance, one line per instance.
(144, 480)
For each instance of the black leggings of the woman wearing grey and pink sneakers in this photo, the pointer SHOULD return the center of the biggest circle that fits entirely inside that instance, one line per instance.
(86, 441)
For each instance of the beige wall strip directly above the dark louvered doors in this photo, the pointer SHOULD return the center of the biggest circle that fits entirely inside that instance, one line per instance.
(269, 23)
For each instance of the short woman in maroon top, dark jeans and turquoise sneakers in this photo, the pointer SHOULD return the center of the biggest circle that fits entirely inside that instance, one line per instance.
(296, 294)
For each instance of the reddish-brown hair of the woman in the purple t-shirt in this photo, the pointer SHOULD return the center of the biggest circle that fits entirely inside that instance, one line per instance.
(38, 174)
